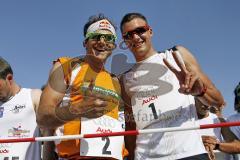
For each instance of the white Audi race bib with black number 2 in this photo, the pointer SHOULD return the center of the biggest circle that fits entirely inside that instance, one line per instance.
(103, 146)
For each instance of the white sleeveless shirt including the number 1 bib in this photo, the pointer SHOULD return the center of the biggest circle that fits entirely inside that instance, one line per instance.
(156, 103)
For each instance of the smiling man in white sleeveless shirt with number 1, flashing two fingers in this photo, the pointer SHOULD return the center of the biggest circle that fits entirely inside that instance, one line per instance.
(158, 92)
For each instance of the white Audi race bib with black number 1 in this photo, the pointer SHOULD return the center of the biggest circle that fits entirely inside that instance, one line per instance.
(160, 109)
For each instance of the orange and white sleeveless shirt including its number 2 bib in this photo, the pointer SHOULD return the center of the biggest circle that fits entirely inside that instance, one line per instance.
(78, 75)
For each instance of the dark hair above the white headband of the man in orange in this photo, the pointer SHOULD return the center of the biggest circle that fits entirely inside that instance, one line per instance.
(95, 18)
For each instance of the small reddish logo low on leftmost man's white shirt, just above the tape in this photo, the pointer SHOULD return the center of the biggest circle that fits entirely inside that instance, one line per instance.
(18, 132)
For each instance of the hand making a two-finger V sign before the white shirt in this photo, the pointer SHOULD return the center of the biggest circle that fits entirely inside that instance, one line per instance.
(189, 81)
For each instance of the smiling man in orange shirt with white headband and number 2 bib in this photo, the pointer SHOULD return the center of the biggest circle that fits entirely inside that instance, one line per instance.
(82, 97)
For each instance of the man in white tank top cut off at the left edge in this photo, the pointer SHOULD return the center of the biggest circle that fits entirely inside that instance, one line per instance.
(18, 108)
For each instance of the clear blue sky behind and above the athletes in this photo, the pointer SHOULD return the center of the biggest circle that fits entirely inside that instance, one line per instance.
(34, 33)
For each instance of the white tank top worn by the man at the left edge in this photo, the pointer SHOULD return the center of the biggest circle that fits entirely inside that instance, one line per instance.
(18, 120)
